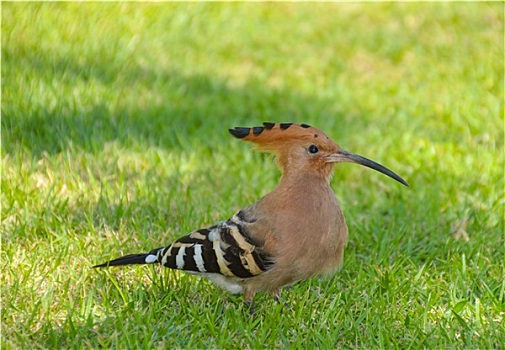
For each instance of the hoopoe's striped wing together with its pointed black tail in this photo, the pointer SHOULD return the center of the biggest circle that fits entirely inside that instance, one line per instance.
(224, 253)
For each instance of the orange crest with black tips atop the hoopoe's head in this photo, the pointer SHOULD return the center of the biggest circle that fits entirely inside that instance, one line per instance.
(273, 136)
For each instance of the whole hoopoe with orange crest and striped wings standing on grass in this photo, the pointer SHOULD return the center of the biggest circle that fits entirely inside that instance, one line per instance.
(293, 233)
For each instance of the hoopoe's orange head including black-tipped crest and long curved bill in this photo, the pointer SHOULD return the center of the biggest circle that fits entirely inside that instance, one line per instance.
(302, 148)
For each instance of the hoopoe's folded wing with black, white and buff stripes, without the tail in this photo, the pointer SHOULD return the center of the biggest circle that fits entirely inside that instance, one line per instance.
(226, 249)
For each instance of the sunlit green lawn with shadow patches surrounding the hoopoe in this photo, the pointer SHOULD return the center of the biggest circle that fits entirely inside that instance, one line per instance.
(114, 140)
